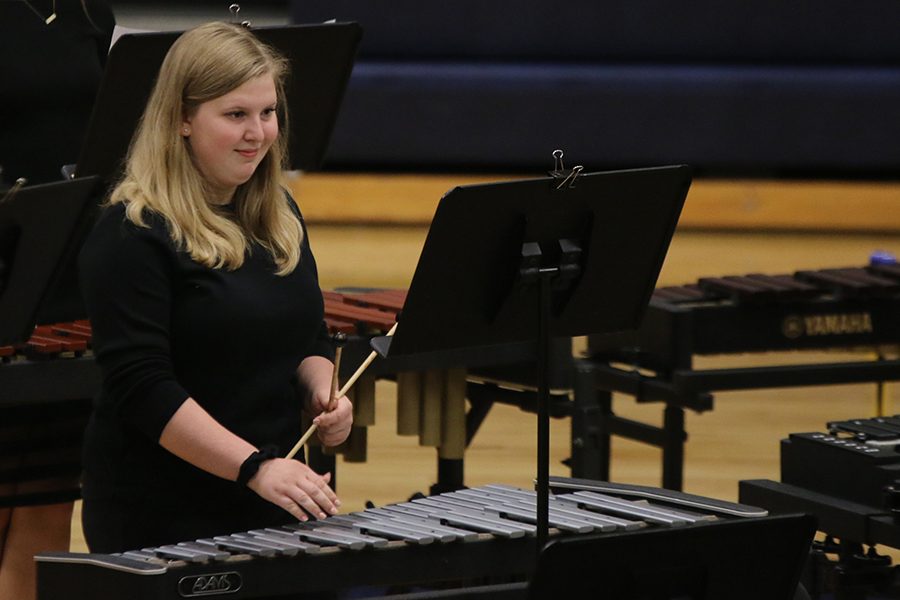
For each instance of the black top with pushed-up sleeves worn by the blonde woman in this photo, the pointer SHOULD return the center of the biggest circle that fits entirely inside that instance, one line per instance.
(166, 328)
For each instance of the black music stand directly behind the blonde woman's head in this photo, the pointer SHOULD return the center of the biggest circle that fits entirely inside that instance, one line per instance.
(321, 58)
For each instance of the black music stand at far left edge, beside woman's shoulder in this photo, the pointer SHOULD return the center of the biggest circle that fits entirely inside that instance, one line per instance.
(41, 228)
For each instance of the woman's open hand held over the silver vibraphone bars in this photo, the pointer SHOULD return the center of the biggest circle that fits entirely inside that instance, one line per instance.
(296, 488)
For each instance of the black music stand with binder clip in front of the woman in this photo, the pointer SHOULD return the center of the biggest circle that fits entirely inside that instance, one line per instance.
(523, 261)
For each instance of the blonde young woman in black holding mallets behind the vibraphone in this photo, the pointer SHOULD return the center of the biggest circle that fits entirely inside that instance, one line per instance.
(207, 315)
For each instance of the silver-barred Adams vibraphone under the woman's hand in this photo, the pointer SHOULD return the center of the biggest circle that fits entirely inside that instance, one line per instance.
(457, 536)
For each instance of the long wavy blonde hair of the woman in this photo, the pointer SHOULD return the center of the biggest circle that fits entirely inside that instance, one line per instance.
(160, 176)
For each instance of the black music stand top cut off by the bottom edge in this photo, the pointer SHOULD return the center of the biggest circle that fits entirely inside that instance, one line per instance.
(739, 560)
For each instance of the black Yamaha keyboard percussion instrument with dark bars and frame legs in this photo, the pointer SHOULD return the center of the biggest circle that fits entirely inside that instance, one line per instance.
(854, 308)
